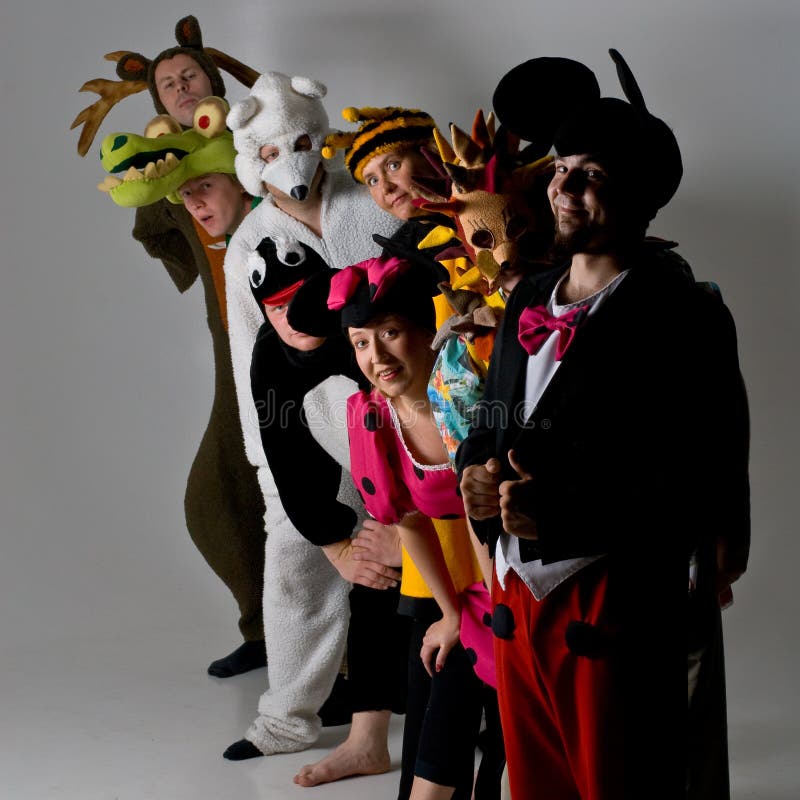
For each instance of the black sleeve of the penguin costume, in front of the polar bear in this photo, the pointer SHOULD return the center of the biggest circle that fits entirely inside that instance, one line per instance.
(306, 476)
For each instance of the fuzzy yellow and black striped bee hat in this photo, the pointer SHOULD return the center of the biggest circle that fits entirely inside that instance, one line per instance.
(382, 130)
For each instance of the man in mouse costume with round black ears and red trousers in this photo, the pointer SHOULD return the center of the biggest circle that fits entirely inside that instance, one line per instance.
(611, 446)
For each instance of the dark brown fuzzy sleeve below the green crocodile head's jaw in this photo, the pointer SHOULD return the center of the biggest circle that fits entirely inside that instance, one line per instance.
(164, 229)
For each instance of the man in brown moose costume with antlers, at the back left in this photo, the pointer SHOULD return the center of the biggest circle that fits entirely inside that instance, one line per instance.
(223, 505)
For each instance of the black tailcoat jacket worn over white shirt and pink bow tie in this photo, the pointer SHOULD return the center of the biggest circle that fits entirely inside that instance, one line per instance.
(639, 445)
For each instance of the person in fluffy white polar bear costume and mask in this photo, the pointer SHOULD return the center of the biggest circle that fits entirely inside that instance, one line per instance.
(279, 130)
